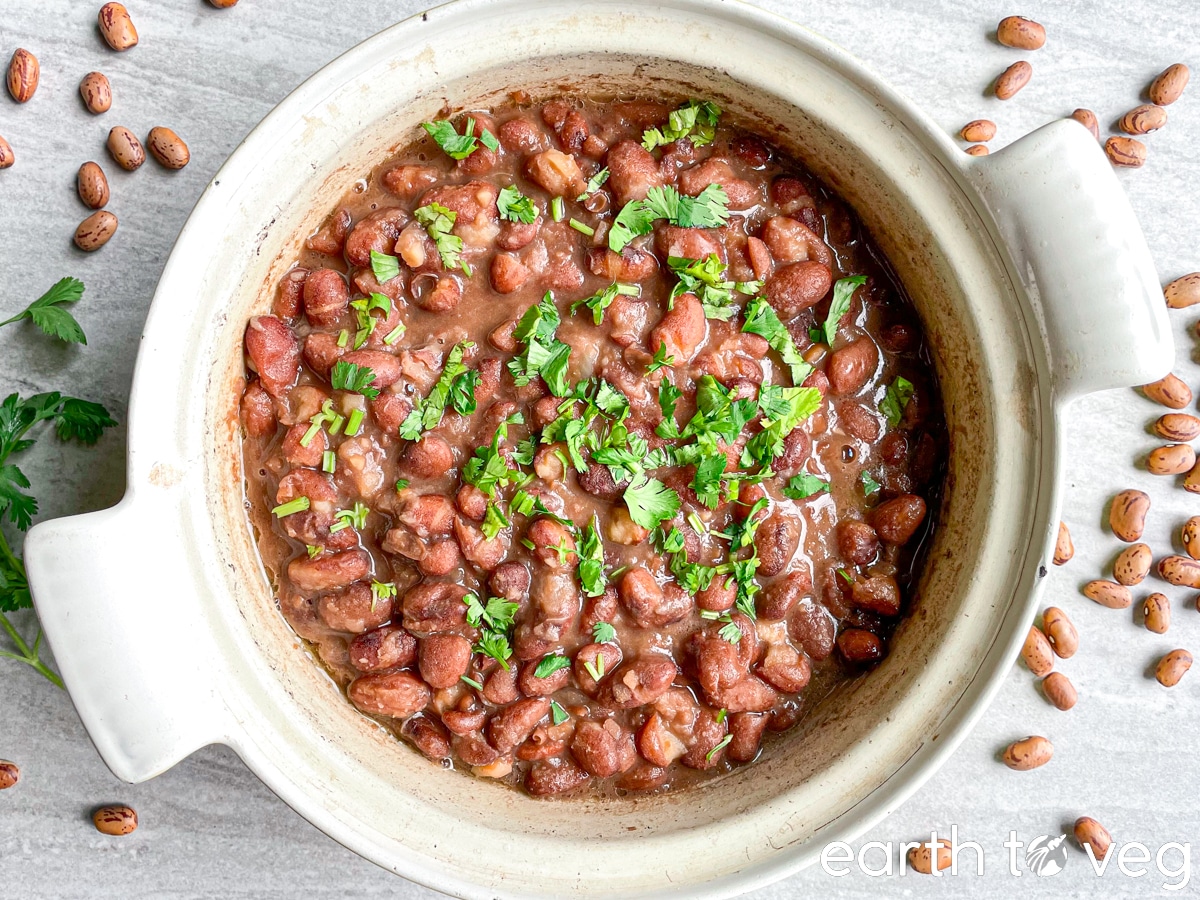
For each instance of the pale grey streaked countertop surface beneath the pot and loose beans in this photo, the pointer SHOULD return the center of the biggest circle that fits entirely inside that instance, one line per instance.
(1126, 754)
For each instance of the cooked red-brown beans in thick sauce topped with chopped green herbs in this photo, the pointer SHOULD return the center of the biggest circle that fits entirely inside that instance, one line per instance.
(590, 442)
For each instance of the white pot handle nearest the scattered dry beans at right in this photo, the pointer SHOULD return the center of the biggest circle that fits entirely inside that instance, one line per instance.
(1079, 251)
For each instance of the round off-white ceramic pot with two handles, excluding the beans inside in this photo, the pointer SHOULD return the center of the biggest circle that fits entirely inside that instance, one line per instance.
(1035, 286)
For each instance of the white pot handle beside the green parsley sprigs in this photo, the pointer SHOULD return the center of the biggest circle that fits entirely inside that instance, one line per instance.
(101, 583)
